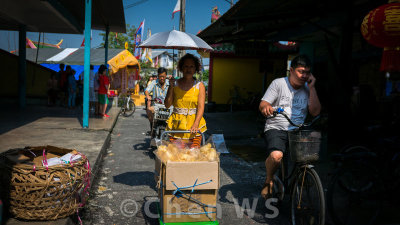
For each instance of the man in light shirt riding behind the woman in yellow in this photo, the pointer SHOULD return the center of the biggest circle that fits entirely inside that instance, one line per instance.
(159, 89)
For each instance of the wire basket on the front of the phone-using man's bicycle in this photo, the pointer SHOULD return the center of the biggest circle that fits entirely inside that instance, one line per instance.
(304, 145)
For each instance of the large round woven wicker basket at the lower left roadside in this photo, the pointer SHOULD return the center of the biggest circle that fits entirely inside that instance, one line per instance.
(40, 193)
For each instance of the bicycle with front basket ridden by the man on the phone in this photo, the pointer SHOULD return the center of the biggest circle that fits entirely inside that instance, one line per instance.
(306, 191)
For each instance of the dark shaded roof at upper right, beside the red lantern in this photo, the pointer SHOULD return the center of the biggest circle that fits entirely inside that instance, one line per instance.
(276, 20)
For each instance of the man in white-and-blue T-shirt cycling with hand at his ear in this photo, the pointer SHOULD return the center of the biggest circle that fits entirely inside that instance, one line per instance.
(296, 94)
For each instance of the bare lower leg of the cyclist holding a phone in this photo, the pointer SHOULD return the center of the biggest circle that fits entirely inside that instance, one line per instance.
(271, 164)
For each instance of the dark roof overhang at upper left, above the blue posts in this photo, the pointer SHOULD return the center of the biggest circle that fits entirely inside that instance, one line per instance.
(61, 16)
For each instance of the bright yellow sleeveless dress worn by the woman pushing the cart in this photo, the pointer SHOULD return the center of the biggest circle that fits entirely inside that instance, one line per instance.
(184, 112)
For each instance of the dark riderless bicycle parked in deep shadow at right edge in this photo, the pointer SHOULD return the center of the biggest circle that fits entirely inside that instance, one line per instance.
(363, 181)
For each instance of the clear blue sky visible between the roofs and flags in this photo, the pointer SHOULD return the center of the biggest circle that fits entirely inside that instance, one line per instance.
(157, 14)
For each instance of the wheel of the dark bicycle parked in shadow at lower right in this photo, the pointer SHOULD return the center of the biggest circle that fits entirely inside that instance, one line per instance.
(353, 196)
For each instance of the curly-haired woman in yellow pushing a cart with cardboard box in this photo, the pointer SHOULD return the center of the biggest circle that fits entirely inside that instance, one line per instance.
(188, 98)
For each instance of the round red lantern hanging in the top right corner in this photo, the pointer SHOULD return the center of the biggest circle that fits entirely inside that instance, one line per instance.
(381, 28)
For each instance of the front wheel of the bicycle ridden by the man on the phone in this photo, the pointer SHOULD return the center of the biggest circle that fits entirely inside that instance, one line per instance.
(307, 199)
